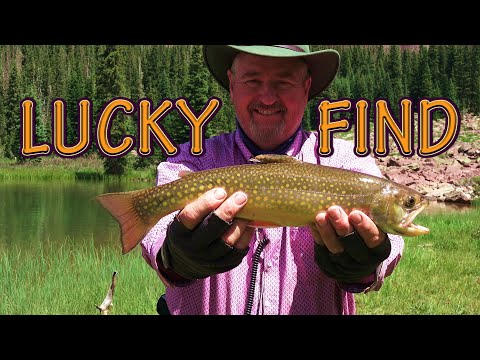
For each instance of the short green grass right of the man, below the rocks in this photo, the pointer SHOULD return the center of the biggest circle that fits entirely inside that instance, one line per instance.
(439, 273)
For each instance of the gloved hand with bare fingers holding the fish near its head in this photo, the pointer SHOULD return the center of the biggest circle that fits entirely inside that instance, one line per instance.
(353, 257)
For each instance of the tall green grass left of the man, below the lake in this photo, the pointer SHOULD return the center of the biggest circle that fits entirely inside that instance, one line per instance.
(73, 278)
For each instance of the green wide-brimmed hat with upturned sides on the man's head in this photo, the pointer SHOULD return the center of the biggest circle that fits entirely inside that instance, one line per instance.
(323, 64)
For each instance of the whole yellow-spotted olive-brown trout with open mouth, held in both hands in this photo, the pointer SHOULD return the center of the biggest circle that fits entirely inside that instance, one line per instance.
(281, 190)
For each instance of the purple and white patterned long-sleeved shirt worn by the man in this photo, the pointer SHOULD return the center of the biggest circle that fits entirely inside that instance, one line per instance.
(288, 281)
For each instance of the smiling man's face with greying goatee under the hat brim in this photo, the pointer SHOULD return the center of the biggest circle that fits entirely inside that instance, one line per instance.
(269, 95)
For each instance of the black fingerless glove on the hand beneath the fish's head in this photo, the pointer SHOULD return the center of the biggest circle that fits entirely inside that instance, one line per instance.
(356, 262)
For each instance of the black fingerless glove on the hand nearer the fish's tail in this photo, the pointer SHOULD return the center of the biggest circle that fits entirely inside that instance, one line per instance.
(199, 253)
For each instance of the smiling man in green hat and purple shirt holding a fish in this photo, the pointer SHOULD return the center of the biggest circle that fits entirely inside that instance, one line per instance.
(267, 270)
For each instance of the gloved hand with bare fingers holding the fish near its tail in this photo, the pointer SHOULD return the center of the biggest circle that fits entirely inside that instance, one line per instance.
(205, 238)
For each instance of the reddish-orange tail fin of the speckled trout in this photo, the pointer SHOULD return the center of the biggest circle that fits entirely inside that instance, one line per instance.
(132, 227)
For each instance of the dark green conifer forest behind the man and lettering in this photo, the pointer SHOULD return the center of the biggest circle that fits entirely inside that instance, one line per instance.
(45, 73)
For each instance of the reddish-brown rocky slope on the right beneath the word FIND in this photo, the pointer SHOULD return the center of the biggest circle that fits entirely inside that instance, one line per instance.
(447, 177)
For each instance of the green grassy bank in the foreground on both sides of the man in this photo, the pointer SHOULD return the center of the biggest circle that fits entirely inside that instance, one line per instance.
(438, 274)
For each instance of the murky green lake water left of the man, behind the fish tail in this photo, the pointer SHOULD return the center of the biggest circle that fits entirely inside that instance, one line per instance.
(37, 211)
